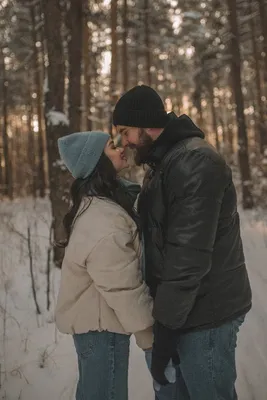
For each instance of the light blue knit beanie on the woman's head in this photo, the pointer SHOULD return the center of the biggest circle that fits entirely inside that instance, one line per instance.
(81, 151)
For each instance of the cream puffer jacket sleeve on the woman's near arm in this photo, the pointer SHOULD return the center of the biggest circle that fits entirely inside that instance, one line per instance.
(113, 265)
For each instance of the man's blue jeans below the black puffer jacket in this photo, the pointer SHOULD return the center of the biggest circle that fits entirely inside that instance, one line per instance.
(207, 370)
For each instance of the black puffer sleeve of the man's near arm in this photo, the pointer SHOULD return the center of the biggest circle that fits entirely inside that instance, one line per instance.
(194, 188)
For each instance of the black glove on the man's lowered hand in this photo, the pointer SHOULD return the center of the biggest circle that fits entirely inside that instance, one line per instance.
(164, 349)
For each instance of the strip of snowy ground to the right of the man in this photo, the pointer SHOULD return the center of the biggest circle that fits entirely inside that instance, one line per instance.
(252, 350)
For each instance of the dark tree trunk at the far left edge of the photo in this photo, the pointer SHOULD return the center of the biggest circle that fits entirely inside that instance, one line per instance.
(8, 176)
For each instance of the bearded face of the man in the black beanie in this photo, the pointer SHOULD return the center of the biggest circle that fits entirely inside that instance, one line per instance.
(136, 139)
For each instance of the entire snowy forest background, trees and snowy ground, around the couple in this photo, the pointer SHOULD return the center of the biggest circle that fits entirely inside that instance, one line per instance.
(63, 66)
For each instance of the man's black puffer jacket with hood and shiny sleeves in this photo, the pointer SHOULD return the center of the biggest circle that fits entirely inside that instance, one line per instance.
(195, 264)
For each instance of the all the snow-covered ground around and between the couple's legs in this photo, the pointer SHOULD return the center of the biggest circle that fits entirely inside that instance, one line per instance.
(37, 363)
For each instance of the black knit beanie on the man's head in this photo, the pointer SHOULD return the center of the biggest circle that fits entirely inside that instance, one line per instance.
(140, 107)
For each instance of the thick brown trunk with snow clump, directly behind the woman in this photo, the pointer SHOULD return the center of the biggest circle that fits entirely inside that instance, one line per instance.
(56, 121)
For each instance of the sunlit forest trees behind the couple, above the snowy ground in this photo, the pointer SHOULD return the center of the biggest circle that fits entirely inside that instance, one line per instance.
(64, 64)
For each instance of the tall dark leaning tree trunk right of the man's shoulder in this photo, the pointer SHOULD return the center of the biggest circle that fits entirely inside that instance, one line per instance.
(239, 100)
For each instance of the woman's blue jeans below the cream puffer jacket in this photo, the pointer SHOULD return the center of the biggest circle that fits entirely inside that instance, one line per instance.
(103, 365)
